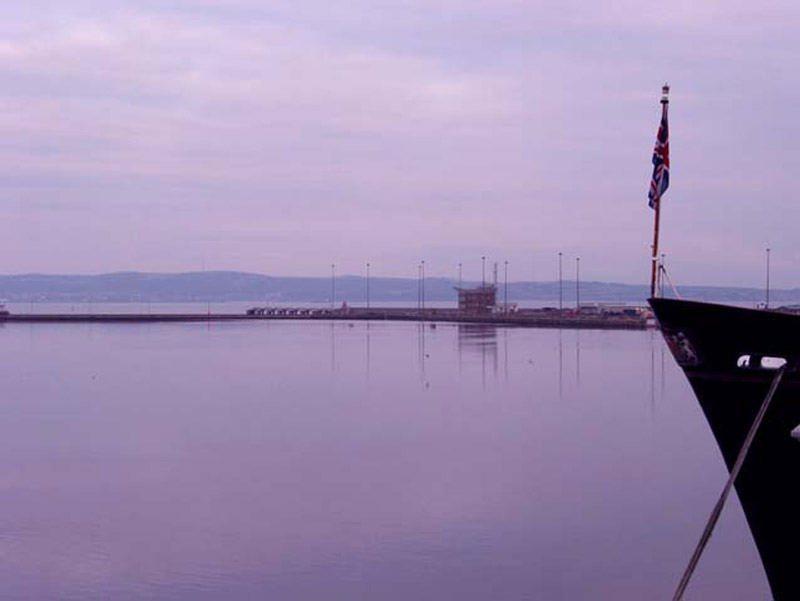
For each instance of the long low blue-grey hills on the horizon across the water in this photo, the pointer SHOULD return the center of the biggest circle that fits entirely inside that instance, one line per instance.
(219, 286)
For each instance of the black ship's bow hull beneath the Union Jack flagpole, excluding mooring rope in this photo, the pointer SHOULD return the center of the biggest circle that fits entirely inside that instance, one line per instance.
(730, 356)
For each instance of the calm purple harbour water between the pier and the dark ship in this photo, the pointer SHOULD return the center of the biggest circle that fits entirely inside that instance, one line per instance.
(318, 461)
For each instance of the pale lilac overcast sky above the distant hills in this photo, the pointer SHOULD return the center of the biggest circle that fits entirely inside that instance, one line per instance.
(281, 137)
